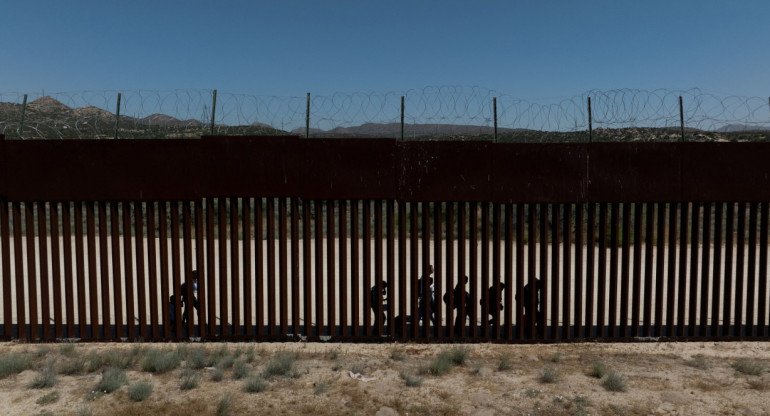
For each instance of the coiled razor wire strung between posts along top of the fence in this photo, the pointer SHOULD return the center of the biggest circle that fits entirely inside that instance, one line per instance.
(453, 112)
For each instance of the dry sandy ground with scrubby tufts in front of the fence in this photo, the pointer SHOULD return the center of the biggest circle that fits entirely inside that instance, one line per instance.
(659, 378)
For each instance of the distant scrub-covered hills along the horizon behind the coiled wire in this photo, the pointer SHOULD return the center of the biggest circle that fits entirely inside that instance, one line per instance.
(47, 117)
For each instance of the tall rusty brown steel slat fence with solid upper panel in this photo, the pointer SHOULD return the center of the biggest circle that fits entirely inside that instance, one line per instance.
(296, 239)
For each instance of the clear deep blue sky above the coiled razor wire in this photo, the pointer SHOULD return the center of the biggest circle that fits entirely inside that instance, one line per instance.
(524, 48)
